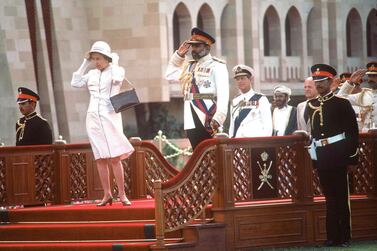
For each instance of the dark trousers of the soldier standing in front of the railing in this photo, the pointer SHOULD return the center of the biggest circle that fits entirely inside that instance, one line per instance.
(335, 188)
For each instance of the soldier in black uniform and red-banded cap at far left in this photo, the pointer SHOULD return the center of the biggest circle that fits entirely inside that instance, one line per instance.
(31, 129)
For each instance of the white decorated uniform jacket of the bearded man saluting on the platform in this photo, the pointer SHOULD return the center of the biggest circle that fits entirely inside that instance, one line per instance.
(211, 77)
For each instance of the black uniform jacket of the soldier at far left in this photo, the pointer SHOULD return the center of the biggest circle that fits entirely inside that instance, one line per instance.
(33, 130)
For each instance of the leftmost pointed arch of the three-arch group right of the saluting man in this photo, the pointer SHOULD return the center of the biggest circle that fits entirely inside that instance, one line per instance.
(271, 32)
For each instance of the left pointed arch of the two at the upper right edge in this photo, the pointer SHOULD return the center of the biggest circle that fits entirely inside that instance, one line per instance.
(354, 33)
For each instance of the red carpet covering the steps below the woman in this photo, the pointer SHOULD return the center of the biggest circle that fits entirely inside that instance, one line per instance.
(81, 227)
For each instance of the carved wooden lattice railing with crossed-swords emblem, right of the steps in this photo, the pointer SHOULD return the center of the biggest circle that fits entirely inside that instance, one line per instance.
(227, 171)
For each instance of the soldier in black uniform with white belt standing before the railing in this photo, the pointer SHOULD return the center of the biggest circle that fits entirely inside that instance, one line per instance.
(335, 142)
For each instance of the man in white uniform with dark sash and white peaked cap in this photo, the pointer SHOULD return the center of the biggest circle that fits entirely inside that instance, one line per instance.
(250, 114)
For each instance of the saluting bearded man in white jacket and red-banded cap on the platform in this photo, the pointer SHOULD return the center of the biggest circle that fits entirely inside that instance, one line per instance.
(205, 86)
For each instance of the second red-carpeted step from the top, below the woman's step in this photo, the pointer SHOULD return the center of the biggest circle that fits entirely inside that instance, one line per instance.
(80, 231)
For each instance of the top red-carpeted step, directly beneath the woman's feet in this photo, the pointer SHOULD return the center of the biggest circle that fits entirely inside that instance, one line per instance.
(139, 210)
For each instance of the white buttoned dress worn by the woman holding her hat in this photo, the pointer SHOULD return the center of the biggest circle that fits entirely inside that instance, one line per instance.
(103, 124)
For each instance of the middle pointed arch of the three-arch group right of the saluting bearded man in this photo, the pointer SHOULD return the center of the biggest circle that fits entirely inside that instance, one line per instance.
(293, 32)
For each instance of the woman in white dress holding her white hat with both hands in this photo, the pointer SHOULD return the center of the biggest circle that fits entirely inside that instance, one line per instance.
(104, 126)
